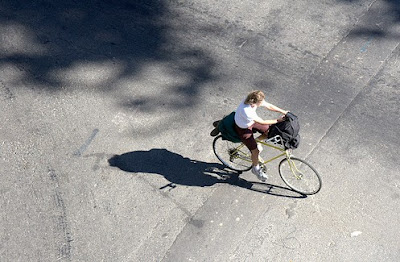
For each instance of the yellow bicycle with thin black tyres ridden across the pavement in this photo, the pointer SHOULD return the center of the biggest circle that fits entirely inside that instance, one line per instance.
(297, 174)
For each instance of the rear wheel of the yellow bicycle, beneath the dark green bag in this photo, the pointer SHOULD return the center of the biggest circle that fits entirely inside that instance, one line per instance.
(236, 156)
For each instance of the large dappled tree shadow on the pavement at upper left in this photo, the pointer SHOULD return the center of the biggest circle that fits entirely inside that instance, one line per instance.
(63, 45)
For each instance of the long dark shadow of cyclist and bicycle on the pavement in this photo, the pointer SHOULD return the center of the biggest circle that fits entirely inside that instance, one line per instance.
(179, 170)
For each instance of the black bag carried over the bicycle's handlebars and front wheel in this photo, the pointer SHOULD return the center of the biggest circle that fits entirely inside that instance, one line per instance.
(288, 130)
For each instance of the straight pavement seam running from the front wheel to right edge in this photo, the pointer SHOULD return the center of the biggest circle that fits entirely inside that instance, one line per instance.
(379, 70)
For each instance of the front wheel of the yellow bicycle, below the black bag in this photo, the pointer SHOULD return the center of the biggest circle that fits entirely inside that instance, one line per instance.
(300, 176)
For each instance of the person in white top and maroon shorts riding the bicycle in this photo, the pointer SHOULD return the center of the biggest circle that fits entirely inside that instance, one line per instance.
(248, 122)
